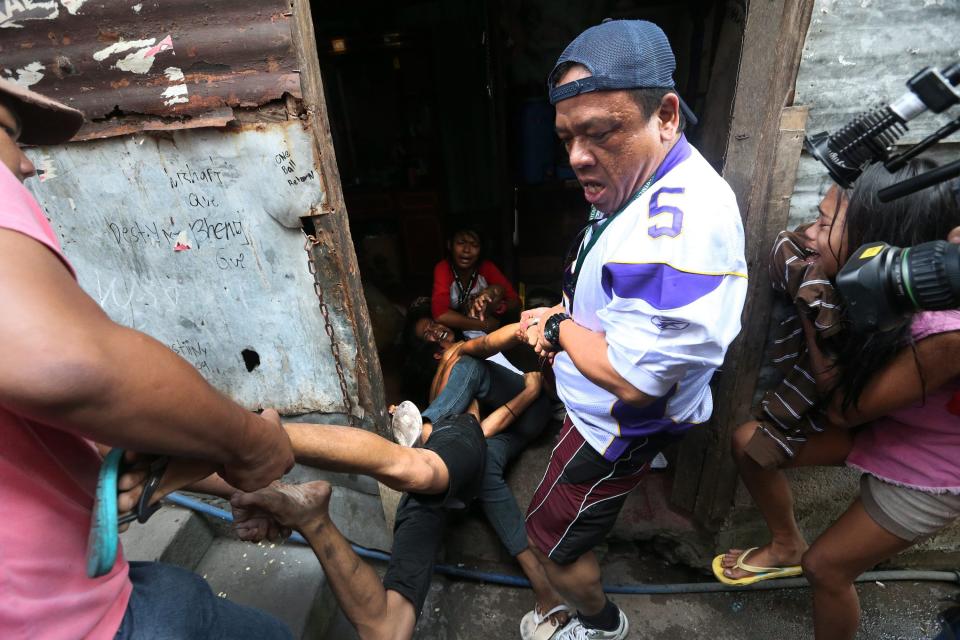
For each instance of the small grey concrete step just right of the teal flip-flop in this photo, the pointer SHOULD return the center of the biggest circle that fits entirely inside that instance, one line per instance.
(173, 535)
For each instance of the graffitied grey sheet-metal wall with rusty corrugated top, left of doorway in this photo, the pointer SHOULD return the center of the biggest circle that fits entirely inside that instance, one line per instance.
(180, 201)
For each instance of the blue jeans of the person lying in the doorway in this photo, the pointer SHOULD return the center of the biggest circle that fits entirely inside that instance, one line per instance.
(493, 386)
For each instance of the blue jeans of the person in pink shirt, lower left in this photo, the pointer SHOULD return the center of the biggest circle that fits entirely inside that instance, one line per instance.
(170, 603)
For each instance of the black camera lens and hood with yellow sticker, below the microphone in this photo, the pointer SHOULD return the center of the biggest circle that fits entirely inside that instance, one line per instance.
(883, 285)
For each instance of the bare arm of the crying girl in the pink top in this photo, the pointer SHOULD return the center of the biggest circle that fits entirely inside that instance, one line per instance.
(898, 385)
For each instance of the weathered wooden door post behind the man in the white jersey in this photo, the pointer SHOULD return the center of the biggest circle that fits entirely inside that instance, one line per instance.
(774, 32)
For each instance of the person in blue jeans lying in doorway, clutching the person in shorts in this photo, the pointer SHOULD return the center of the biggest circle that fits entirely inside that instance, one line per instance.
(464, 372)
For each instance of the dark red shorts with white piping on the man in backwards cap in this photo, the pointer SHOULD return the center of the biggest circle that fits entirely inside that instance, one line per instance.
(581, 494)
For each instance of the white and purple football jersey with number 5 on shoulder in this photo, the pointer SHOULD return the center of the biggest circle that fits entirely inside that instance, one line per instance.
(665, 283)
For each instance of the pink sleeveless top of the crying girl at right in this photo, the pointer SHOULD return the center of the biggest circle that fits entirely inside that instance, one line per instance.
(919, 446)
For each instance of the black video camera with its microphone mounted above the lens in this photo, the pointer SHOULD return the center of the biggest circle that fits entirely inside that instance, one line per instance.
(884, 285)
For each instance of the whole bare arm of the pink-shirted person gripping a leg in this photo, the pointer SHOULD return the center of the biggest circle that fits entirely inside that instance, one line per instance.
(66, 364)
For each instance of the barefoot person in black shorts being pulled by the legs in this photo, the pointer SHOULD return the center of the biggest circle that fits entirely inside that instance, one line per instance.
(446, 473)
